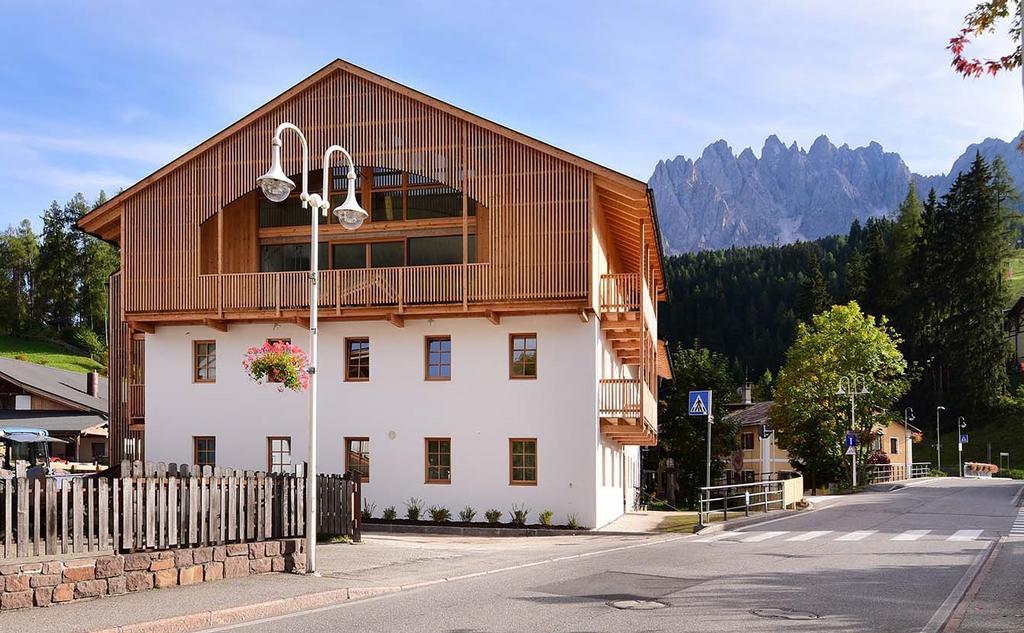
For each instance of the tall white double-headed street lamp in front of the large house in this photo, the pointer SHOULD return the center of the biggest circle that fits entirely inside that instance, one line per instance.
(277, 187)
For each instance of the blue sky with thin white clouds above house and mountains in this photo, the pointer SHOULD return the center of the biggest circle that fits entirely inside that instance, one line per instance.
(99, 95)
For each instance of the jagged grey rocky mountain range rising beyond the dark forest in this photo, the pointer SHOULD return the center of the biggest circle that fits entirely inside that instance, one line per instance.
(789, 194)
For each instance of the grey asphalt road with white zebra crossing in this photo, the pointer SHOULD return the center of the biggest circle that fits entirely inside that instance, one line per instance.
(877, 562)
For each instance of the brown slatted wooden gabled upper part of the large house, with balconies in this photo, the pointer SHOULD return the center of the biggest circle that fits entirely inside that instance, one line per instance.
(541, 230)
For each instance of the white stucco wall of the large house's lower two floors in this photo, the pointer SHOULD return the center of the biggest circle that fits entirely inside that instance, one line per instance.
(481, 409)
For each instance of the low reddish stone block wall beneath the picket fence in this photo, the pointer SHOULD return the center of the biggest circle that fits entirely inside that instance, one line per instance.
(55, 582)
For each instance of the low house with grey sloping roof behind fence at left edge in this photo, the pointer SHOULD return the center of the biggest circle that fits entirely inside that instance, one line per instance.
(70, 406)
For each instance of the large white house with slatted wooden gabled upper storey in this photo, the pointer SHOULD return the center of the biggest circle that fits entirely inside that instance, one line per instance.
(489, 337)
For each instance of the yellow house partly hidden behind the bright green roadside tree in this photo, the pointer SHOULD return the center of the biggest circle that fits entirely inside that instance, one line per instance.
(759, 457)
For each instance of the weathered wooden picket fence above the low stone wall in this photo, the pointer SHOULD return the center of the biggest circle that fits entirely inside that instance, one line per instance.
(158, 507)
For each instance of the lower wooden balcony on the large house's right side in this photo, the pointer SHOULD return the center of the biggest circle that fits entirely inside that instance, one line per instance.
(628, 411)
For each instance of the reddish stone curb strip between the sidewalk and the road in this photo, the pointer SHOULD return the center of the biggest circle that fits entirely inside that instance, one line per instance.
(250, 613)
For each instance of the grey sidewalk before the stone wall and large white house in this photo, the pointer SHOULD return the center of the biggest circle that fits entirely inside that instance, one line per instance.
(379, 565)
